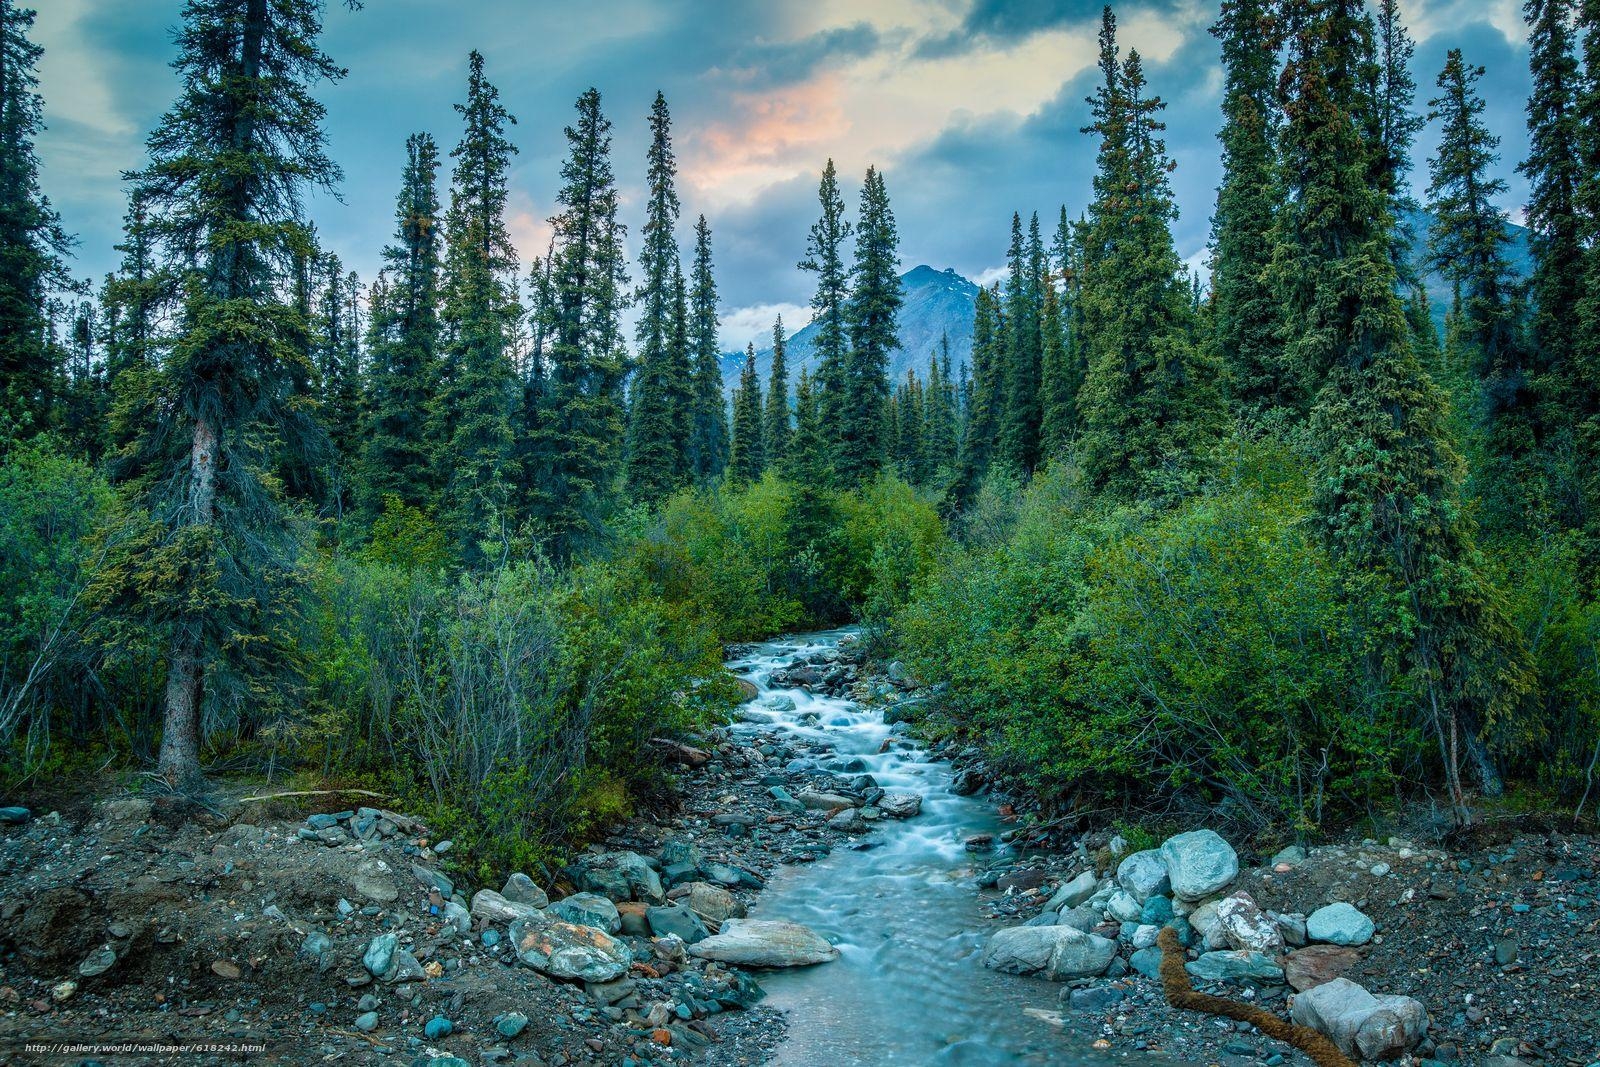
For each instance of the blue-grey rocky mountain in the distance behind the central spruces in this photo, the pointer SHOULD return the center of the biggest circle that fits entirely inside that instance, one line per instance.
(937, 303)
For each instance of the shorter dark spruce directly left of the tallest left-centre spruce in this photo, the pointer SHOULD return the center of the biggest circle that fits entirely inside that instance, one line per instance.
(398, 457)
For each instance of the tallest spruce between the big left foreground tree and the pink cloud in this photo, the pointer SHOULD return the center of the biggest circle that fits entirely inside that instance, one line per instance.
(479, 314)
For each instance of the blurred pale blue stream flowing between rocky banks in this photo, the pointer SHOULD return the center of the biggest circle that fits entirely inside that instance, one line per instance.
(910, 986)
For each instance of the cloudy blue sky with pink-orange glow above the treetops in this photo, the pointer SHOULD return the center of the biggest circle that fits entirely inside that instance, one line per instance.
(970, 108)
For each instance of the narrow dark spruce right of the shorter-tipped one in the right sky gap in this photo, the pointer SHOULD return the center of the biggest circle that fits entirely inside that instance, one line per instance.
(1554, 172)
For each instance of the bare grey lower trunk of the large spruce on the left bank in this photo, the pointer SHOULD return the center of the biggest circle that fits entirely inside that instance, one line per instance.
(180, 759)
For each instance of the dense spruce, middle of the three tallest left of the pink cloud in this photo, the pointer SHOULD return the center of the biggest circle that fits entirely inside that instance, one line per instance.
(578, 458)
